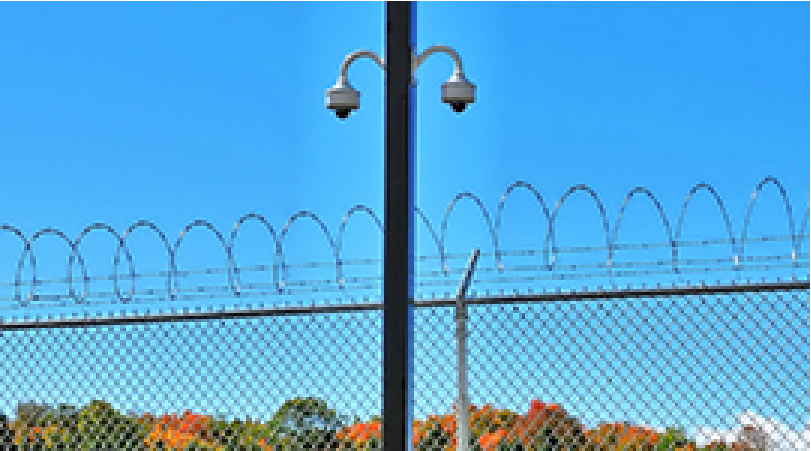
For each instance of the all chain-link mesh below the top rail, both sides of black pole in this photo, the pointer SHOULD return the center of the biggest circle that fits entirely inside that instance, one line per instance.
(686, 372)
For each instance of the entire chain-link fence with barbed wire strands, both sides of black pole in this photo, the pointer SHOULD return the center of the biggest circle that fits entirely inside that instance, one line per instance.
(678, 346)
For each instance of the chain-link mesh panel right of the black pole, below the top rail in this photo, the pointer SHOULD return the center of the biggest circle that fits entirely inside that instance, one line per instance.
(655, 373)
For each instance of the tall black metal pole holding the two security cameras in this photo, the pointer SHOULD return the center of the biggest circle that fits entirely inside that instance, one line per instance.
(398, 270)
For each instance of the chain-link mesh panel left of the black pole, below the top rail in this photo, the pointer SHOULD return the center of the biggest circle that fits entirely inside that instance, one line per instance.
(275, 382)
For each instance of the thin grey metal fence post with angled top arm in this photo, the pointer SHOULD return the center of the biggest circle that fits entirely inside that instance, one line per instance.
(463, 411)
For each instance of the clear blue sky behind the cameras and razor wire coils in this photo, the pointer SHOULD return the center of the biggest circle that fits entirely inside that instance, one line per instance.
(170, 112)
